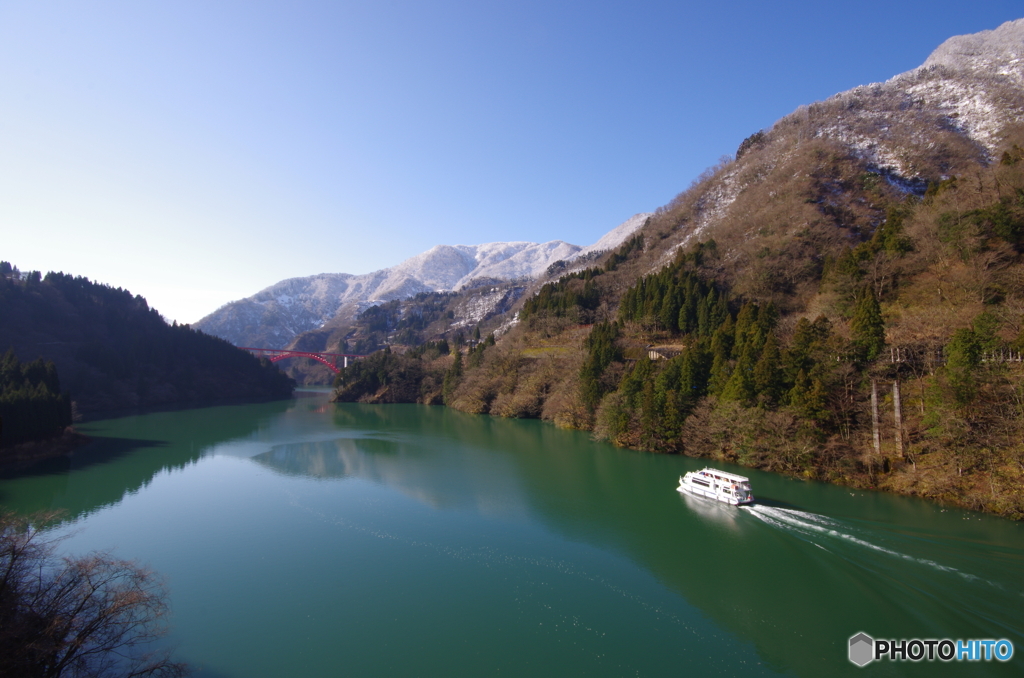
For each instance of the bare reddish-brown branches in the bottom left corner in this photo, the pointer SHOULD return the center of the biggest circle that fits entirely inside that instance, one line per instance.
(90, 616)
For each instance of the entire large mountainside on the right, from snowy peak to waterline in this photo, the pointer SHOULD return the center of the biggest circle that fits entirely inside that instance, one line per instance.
(842, 301)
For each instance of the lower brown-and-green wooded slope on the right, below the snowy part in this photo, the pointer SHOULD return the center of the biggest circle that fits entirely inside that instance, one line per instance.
(931, 304)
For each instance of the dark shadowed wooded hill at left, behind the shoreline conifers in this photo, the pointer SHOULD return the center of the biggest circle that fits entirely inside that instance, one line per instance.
(113, 352)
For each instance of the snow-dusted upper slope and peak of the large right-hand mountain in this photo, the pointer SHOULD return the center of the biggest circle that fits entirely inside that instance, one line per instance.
(940, 120)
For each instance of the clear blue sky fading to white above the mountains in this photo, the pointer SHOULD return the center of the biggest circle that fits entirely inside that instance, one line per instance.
(198, 152)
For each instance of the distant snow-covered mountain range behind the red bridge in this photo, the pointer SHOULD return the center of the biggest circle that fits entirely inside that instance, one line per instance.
(274, 317)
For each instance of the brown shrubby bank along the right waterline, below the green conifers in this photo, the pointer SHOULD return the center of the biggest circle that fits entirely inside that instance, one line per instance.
(517, 380)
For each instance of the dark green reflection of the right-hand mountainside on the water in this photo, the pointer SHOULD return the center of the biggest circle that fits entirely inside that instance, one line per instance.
(759, 579)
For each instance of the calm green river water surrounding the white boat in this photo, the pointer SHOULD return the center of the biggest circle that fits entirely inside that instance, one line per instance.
(310, 539)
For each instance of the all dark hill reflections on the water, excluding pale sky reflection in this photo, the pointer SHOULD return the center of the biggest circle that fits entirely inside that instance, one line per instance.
(796, 580)
